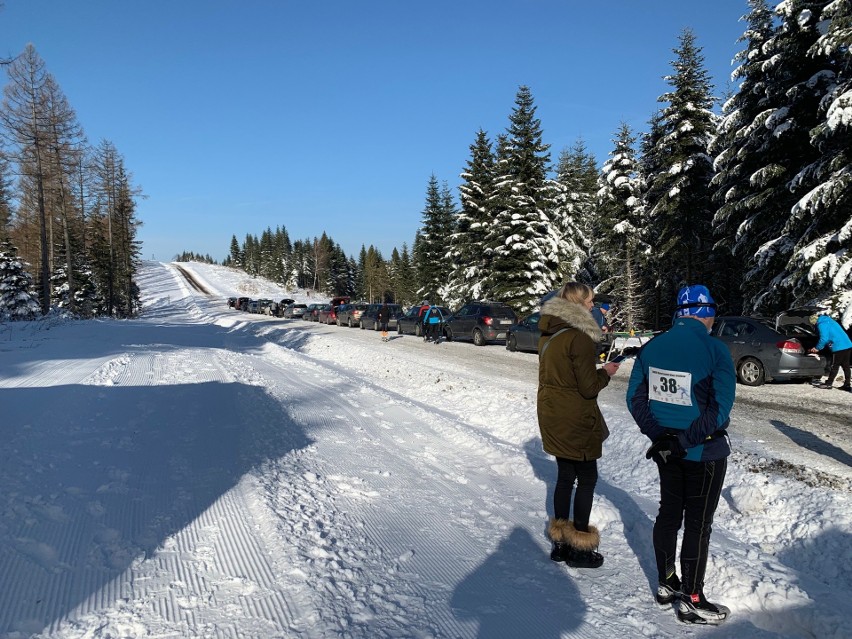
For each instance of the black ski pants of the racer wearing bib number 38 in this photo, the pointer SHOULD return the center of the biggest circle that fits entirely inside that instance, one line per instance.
(689, 494)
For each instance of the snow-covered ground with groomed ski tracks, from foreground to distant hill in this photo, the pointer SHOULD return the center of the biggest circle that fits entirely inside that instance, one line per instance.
(202, 472)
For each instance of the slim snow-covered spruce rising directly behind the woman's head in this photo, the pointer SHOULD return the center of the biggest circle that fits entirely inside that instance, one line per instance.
(574, 214)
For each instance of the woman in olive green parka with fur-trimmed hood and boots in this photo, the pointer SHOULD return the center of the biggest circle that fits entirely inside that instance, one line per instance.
(571, 423)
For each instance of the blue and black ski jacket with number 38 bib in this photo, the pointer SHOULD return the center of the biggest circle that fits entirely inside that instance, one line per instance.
(683, 383)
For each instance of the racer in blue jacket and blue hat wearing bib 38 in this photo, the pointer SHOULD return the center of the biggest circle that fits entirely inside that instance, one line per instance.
(681, 393)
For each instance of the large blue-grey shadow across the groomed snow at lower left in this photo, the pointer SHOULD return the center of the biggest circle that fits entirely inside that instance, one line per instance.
(94, 478)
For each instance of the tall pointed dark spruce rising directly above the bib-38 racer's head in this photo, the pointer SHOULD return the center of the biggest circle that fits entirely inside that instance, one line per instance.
(682, 212)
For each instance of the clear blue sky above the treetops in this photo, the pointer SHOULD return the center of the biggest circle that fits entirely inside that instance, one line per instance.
(234, 116)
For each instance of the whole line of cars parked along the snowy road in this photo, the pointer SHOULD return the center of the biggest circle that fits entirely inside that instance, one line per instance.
(762, 349)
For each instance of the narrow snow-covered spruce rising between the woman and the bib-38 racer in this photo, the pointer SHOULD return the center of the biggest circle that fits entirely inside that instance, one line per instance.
(620, 233)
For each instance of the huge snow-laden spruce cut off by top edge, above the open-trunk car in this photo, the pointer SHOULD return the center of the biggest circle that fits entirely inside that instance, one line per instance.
(792, 83)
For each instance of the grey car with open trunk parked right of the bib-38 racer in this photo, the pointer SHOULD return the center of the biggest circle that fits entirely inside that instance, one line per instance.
(764, 350)
